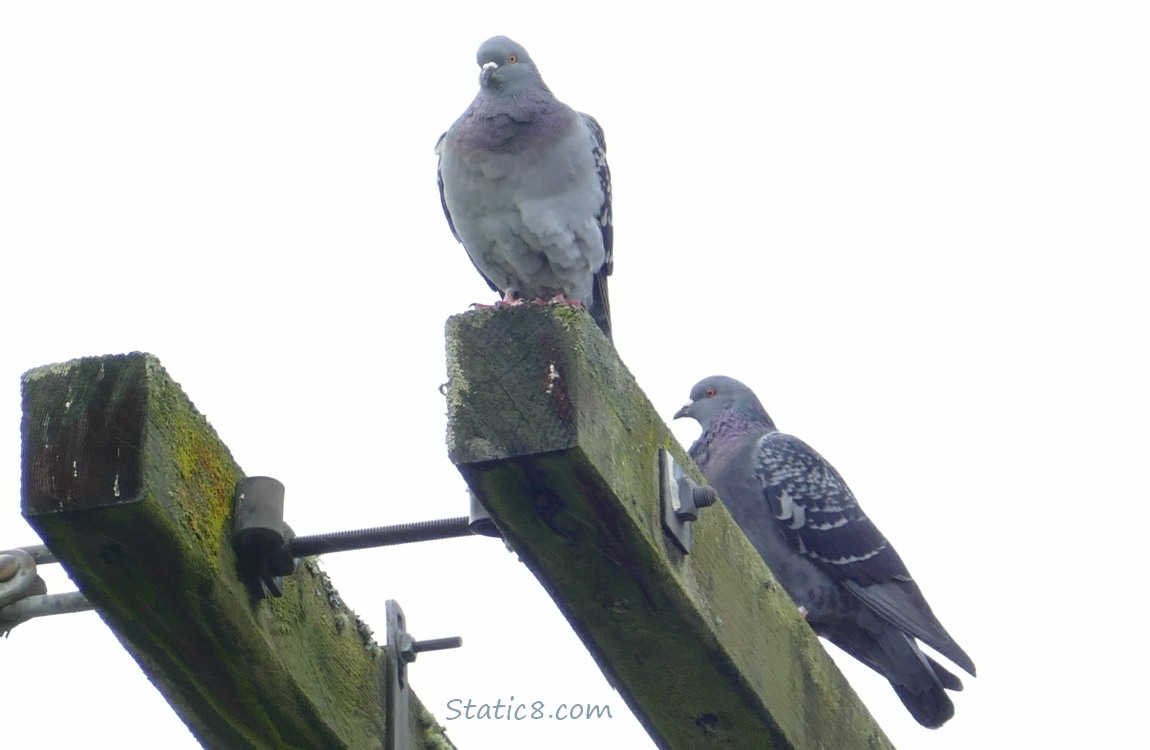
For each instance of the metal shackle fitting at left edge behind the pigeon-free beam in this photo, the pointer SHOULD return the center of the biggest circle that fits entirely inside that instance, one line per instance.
(24, 593)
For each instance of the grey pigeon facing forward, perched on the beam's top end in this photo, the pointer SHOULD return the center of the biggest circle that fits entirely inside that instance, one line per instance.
(526, 188)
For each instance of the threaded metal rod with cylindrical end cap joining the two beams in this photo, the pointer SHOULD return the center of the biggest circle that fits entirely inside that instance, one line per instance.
(269, 549)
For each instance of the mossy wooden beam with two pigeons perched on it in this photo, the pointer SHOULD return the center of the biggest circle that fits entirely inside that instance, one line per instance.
(551, 432)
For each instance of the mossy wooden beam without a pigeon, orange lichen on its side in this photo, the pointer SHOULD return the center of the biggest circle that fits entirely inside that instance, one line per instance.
(132, 489)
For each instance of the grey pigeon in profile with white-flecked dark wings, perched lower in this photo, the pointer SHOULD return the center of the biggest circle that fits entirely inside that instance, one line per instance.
(838, 568)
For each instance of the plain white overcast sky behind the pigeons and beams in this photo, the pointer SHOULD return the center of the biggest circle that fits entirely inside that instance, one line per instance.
(918, 233)
